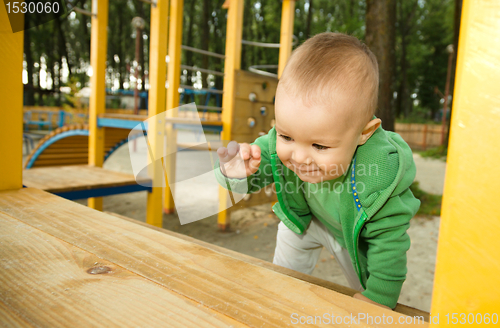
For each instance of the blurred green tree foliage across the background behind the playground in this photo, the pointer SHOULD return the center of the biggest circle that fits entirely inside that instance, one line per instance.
(423, 30)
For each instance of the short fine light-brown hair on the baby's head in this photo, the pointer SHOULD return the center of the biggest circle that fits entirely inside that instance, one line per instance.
(333, 61)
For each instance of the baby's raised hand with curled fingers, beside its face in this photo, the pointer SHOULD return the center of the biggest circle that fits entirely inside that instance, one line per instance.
(239, 160)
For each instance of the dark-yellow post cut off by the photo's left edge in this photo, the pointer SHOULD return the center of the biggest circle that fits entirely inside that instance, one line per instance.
(11, 91)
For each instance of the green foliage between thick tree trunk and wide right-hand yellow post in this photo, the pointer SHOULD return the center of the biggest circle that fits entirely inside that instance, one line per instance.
(424, 29)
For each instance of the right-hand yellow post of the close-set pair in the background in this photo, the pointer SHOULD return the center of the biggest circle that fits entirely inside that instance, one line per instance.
(174, 75)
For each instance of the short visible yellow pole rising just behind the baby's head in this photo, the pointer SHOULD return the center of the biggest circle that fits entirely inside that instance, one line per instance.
(286, 34)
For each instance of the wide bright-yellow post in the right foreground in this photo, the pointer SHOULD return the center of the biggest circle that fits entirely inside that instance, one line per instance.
(466, 284)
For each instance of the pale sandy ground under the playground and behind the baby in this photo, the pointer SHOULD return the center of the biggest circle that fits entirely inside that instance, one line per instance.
(253, 230)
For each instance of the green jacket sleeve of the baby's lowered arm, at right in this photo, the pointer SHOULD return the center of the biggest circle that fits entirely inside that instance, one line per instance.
(387, 243)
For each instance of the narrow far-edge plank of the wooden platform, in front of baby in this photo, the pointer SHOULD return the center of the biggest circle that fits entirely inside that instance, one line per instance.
(400, 308)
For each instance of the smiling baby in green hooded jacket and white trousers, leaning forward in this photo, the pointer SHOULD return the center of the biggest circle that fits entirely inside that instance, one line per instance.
(342, 181)
